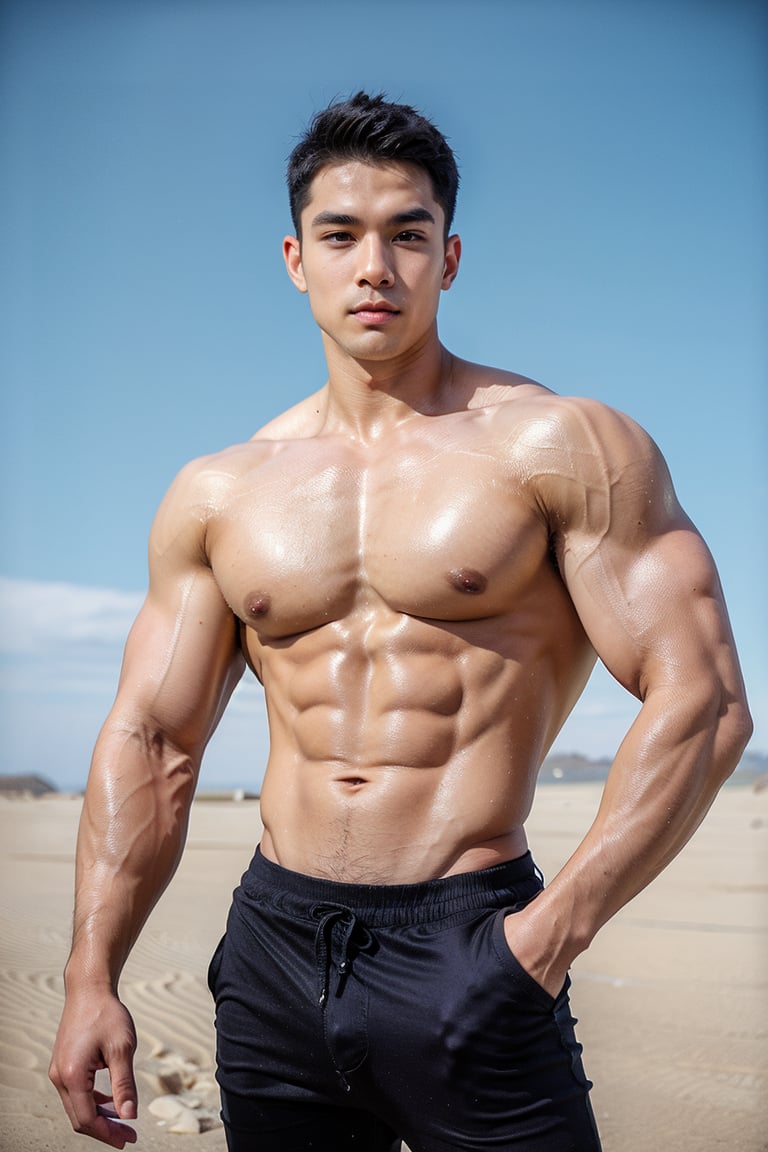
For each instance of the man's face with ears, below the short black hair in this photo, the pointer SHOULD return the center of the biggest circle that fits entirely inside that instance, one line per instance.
(374, 259)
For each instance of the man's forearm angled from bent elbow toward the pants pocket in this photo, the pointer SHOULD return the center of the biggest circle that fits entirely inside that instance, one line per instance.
(664, 780)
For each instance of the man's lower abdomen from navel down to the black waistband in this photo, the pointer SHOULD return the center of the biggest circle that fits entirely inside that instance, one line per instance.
(393, 827)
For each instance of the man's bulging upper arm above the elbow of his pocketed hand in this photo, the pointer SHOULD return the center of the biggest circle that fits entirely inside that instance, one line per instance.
(640, 575)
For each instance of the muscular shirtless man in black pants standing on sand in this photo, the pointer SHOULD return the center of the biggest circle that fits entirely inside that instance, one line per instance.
(420, 563)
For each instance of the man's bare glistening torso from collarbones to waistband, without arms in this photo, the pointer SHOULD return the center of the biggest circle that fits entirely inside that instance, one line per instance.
(401, 603)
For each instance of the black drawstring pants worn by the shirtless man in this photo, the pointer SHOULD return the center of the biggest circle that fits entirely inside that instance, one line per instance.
(351, 1018)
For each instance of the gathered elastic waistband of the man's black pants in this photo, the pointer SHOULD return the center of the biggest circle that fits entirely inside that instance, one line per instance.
(399, 904)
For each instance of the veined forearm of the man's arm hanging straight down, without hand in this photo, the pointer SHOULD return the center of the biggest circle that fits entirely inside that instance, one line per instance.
(132, 836)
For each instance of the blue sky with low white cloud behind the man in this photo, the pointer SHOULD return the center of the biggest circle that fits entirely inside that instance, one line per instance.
(614, 181)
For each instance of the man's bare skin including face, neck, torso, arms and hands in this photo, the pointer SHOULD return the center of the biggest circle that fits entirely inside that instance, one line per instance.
(421, 564)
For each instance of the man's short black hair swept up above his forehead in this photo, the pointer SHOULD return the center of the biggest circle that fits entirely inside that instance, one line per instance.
(371, 130)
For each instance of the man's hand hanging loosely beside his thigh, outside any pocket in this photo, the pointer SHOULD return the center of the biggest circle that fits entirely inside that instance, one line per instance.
(96, 1033)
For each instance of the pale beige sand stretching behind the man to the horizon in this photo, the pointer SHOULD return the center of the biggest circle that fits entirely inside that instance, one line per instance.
(672, 997)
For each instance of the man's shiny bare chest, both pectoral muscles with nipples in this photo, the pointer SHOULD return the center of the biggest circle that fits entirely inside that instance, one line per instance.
(435, 530)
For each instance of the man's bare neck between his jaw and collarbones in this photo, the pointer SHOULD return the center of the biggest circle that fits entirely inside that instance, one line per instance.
(368, 398)
